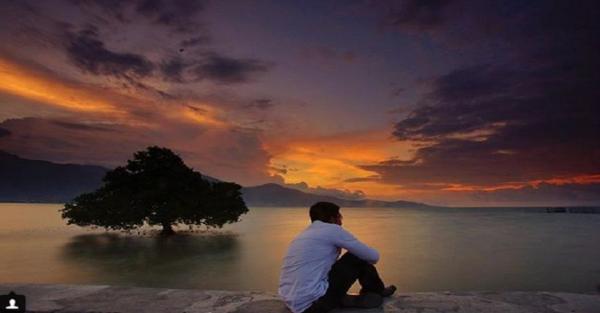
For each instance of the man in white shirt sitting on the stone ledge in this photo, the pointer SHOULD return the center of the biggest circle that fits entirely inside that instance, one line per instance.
(314, 280)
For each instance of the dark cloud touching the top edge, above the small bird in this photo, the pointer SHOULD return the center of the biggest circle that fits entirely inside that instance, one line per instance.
(179, 14)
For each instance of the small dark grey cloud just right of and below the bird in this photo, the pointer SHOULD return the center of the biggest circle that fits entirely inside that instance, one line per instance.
(226, 70)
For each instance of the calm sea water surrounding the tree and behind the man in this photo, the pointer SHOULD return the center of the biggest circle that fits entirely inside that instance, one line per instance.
(422, 250)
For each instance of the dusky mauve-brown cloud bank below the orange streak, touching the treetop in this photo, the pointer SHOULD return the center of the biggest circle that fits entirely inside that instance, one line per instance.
(228, 154)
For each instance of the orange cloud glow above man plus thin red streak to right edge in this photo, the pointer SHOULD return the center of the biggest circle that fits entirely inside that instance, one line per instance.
(335, 162)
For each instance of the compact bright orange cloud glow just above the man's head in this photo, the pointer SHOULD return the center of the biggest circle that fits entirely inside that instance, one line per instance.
(331, 161)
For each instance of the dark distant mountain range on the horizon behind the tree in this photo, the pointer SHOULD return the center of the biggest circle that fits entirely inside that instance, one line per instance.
(24, 180)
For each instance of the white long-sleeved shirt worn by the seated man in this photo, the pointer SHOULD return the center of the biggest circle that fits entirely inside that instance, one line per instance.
(310, 257)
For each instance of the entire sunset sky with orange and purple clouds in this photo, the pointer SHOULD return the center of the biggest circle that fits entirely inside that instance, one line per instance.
(445, 102)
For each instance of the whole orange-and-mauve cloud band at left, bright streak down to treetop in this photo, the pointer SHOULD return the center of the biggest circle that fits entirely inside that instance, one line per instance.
(105, 122)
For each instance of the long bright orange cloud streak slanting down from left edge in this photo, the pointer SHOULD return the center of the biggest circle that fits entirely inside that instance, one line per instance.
(102, 103)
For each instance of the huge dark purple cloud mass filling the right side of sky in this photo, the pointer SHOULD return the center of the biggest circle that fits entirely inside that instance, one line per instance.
(531, 114)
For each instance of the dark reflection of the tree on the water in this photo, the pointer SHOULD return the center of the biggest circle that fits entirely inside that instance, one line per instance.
(176, 261)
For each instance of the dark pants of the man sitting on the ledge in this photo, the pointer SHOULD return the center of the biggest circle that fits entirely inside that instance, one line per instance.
(342, 275)
